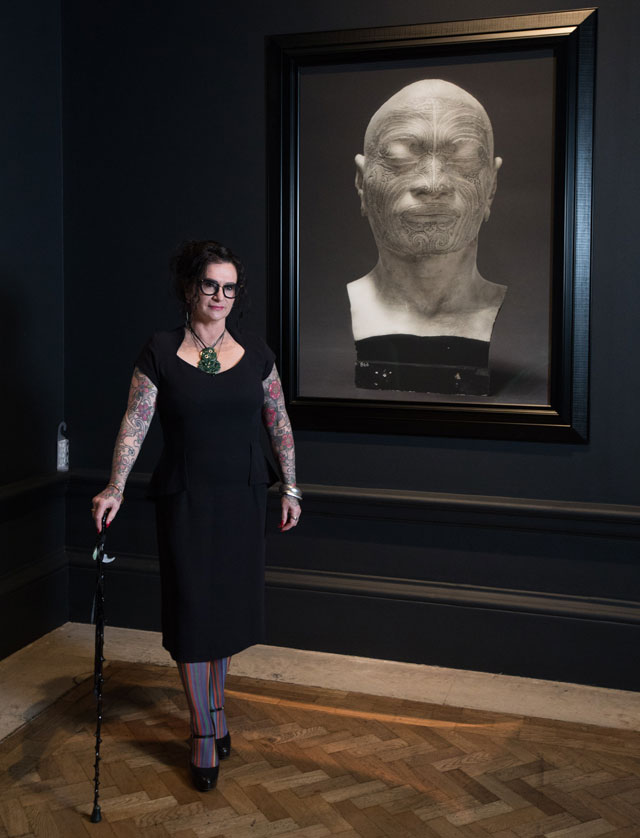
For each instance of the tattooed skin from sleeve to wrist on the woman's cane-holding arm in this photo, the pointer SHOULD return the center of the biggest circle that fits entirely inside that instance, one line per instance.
(133, 429)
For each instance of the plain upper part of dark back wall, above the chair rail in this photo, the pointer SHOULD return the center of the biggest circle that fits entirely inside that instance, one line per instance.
(164, 137)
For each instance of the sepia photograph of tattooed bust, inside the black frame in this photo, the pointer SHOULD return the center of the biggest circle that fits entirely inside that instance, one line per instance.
(425, 229)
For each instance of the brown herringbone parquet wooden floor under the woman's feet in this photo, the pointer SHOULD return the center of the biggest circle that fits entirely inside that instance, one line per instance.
(309, 763)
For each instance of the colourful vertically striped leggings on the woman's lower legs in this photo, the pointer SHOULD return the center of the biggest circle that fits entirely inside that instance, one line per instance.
(203, 684)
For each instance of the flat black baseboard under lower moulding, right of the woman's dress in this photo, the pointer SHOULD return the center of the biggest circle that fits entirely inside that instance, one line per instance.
(552, 648)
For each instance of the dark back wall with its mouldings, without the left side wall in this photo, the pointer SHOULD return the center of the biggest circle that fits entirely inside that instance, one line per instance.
(164, 115)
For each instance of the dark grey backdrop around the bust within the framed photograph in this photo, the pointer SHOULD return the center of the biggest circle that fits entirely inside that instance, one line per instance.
(337, 247)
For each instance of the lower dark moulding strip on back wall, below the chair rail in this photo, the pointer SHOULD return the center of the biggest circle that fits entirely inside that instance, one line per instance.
(425, 592)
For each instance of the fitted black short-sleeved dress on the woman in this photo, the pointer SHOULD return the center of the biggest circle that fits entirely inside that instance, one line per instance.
(209, 489)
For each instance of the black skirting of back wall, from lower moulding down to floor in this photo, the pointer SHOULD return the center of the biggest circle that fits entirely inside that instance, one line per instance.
(509, 632)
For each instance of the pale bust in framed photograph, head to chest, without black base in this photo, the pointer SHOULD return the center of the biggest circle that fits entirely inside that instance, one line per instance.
(426, 183)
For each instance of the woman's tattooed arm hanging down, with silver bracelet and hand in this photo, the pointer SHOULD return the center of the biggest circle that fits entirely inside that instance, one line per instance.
(276, 420)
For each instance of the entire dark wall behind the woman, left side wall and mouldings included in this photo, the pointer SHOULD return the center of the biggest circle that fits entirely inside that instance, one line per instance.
(504, 556)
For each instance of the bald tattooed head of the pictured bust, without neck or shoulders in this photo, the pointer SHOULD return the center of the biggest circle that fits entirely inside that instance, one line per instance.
(428, 175)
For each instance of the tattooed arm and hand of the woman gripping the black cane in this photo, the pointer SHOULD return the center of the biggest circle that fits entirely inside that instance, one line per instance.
(133, 429)
